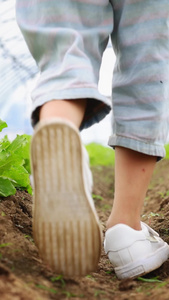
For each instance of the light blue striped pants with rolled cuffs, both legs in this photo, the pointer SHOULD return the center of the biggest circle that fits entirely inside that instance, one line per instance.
(67, 39)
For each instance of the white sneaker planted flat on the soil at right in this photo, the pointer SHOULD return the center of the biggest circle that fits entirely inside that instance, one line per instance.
(134, 253)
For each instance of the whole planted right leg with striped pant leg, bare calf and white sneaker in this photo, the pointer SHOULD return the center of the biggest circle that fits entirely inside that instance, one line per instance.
(141, 114)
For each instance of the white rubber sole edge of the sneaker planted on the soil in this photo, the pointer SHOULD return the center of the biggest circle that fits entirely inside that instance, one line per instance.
(144, 266)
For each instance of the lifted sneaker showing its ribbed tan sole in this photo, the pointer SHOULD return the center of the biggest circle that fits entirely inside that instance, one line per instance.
(65, 224)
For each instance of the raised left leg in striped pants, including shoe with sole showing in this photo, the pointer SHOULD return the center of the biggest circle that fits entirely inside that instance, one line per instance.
(67, 39)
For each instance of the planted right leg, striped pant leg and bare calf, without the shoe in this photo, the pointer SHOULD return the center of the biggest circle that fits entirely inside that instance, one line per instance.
(140, 102)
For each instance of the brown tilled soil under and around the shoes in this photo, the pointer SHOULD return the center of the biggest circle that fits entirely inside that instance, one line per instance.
(23, 276)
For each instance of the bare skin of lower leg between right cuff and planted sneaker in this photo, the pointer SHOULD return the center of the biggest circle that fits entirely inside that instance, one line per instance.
(133, 171)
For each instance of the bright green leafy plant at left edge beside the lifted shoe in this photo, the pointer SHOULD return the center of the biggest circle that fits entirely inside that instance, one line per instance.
(14, 164)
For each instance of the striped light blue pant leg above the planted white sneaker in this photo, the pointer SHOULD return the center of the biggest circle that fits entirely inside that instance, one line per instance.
(141, 75)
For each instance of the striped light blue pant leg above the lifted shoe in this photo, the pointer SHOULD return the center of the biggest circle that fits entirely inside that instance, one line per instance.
(67, 39)
